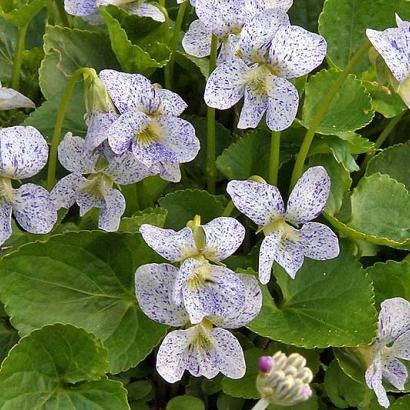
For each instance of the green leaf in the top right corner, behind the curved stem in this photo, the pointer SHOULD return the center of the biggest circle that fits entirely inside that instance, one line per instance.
(343, 23)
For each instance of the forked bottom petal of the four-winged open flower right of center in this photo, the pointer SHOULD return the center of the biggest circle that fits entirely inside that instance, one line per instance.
(287, 253)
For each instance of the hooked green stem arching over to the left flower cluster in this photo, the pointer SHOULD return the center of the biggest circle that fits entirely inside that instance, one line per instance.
(52, 162)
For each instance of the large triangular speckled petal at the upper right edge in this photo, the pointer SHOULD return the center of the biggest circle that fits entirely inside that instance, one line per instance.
(393, 45)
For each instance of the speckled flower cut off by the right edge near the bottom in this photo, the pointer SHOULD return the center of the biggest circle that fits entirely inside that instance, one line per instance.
(392, 343)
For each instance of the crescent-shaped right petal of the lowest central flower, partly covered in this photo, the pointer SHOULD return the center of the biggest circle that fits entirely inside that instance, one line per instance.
(251, 307)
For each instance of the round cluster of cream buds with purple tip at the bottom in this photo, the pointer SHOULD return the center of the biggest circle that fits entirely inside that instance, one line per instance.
(283, 380)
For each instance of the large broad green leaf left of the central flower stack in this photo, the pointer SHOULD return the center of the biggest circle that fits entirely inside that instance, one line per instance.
(85, 279)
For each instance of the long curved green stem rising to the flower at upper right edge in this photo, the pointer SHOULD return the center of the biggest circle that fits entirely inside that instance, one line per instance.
(321, 112)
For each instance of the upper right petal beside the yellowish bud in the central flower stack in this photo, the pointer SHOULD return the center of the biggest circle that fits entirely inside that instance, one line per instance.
(223, 237)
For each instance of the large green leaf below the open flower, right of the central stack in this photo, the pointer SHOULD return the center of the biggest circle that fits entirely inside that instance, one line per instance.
(321, 307)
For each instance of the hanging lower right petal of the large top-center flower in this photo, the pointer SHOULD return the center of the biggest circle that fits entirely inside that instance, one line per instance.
(283, 102)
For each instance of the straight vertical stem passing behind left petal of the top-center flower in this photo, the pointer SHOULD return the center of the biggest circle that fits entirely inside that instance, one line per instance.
(211, 141)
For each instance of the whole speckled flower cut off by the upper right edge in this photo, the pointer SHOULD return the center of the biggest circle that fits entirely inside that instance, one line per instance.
(393, 45)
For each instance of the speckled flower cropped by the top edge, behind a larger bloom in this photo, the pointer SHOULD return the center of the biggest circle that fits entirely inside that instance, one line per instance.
(225, 19)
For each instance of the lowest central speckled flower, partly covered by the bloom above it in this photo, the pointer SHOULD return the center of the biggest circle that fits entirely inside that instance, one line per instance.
(201, 349)
